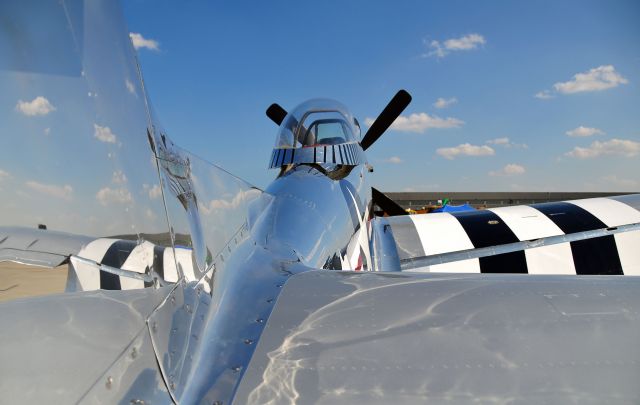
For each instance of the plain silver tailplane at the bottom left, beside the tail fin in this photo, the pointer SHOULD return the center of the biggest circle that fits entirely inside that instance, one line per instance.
(81, 347)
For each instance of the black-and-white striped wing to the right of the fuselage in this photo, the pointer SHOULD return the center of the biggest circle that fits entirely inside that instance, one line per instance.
(590, 236)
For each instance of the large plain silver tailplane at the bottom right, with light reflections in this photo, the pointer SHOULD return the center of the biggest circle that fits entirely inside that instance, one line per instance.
(342, 337)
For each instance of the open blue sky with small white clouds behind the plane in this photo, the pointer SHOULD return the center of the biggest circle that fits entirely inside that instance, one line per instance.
(522, 85)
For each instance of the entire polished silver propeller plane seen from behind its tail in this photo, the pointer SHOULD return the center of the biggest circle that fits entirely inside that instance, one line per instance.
(186, 284)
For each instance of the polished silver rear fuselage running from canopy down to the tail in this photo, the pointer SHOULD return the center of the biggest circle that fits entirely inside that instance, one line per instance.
(309, 222)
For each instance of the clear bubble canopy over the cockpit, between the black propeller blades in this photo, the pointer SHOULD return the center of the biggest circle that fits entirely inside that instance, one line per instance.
(318, 131)
